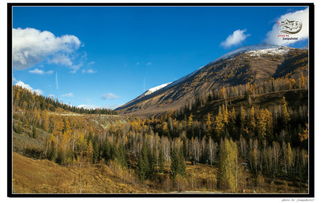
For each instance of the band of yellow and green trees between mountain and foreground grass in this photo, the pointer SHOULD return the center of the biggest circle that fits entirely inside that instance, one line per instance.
(270, 142)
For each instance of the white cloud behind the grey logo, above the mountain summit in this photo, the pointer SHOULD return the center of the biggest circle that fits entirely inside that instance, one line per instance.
(302, 16)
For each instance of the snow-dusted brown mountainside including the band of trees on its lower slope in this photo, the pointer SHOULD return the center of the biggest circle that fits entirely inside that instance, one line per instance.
(249, 70)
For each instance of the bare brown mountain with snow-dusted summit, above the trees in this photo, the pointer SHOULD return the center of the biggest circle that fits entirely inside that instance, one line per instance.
(247, 65)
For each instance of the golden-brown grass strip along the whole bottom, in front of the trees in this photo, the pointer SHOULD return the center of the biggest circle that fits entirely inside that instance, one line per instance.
(43, 176)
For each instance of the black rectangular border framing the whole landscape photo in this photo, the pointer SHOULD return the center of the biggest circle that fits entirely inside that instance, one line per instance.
(311, 98)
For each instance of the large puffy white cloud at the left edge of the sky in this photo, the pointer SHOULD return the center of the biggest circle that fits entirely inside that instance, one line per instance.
(31, 46)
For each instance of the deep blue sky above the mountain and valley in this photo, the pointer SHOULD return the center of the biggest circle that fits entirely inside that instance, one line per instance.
(124, 51)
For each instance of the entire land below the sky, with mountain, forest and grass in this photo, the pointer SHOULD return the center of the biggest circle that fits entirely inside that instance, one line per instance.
(237, 125)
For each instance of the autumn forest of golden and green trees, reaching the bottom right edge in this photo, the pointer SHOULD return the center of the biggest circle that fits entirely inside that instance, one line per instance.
(248, 142)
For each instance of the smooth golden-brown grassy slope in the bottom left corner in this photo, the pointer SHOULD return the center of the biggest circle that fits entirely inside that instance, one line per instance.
(43, 176)
